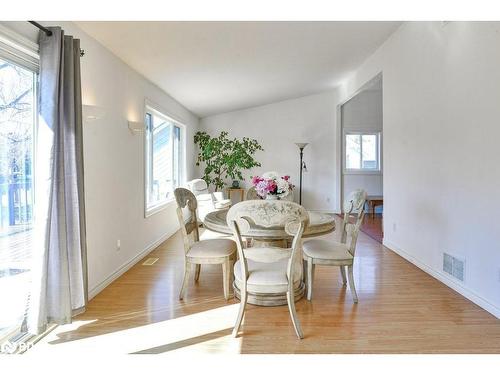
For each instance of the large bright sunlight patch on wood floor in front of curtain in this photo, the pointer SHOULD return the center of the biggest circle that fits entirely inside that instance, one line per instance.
(207, 331)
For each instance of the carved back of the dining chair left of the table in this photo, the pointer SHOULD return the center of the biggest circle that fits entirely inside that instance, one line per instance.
(185, 198)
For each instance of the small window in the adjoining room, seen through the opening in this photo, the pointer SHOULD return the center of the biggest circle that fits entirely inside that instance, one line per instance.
(362, 151)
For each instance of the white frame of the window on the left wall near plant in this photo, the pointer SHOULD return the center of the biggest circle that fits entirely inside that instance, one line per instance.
(151, 107)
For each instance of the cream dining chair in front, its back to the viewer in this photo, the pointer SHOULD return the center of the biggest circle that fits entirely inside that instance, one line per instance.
(268, 270)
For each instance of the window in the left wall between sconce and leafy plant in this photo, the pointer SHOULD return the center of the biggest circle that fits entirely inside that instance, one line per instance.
(163, 158)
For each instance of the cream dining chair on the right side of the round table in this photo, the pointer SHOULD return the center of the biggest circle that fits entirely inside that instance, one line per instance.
(331, 253)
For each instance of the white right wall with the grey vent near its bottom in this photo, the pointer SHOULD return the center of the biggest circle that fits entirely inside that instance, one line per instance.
(441, 89)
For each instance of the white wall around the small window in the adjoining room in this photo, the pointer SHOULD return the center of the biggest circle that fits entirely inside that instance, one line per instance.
(364, 113)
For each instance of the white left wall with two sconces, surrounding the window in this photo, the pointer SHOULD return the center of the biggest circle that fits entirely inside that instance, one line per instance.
(113, 157)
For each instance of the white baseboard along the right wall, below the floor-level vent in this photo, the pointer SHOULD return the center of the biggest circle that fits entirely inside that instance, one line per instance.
(445, 279)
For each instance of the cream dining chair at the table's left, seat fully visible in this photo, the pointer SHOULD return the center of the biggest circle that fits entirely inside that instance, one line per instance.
(197, 252)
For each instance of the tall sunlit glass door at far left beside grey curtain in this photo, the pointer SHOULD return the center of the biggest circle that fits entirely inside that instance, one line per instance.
(18, 98)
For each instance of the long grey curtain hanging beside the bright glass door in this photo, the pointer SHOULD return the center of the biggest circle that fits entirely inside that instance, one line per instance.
(59, 286)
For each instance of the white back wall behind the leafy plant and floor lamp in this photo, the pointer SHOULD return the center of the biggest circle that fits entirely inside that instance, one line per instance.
(277, 127)
